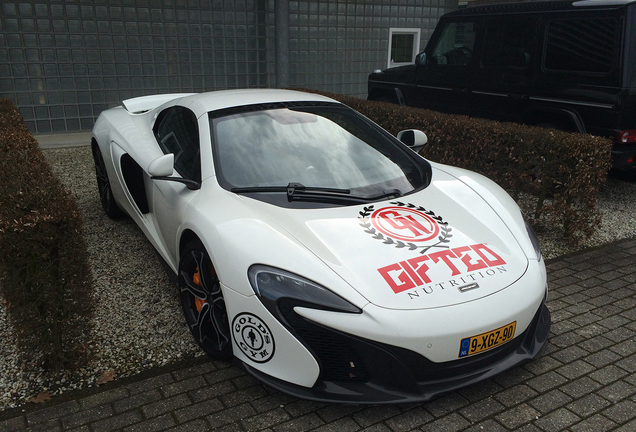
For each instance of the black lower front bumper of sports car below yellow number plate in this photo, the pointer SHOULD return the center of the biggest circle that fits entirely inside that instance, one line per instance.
(357, 370)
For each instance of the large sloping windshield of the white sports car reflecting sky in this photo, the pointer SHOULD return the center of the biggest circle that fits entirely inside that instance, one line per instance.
(315, 146)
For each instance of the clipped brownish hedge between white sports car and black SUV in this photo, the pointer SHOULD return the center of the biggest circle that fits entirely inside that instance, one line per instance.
(554, 175)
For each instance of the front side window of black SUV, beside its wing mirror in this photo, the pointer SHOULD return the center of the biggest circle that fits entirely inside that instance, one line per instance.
(455, 46)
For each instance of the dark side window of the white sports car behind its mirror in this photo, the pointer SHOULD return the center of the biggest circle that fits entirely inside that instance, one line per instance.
(177, 132)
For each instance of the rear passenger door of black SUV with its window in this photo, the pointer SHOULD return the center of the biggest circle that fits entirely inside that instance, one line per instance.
(509, 60)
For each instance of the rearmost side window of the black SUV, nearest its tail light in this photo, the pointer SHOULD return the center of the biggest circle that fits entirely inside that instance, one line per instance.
(581, 45)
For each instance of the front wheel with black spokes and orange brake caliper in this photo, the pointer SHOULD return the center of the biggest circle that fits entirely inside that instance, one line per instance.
(202, 302)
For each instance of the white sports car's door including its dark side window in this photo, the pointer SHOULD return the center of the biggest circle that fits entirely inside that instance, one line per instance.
(176, 132)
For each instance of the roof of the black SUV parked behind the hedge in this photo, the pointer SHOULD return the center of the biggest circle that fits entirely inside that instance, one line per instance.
(540, 6)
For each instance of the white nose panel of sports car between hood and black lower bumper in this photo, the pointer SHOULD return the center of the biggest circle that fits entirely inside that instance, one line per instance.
(443, 328)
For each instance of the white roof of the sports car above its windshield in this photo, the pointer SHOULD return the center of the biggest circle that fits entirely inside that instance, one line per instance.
(203, 103)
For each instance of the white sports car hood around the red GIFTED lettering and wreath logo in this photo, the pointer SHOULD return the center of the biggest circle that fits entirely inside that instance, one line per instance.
(336, 237)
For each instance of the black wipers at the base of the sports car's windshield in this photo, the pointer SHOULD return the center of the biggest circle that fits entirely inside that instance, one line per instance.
(299, 192)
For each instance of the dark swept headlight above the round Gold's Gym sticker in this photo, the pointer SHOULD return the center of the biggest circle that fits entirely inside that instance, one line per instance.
(272, 285)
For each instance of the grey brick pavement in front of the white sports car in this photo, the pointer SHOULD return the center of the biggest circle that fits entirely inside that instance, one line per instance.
(583, 380)
